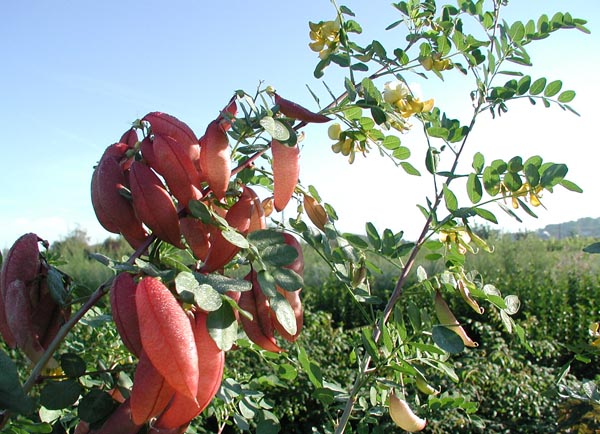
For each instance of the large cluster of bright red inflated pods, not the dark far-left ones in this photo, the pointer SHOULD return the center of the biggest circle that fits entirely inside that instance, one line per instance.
(143, 187)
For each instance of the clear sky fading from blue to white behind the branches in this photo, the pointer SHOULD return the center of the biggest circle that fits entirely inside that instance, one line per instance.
(74, 76)
